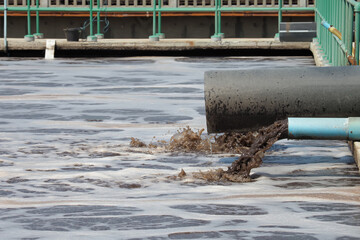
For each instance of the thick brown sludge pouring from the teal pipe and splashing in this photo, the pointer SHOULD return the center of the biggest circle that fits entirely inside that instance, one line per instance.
(251, 146)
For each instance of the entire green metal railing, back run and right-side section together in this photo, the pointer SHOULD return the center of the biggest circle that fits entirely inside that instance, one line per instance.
(338, 21)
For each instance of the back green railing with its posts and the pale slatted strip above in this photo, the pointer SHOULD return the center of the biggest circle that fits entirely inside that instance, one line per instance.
(156, 7)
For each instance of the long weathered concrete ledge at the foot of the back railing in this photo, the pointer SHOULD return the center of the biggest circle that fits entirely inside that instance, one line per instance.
(16, 44)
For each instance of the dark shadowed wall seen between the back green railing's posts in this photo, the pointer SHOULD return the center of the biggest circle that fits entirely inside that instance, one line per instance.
(141, 27)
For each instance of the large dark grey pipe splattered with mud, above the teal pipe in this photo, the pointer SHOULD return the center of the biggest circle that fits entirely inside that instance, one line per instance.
(248, 99)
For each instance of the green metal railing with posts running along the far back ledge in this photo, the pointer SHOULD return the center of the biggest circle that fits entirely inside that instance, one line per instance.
(95, 7)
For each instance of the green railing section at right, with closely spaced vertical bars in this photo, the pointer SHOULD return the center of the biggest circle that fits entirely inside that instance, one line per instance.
(338, 31)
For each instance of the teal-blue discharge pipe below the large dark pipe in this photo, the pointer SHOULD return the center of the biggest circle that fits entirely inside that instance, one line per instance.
(324, 128)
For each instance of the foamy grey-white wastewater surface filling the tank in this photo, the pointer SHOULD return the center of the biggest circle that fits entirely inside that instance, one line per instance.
(67, 170)
